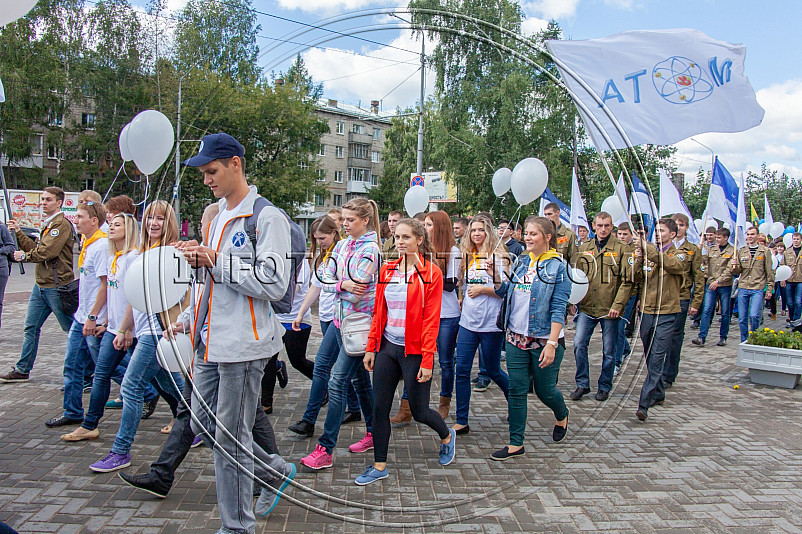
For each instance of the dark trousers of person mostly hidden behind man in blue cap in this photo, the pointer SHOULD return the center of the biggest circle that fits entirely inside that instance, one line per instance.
(180, 439)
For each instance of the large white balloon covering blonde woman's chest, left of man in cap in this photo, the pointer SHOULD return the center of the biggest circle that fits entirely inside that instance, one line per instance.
(156, 280)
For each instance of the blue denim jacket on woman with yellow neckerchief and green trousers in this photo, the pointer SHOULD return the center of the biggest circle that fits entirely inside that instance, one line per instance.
(550, 292)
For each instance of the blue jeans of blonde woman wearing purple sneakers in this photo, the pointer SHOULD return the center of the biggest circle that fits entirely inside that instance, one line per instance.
(142, 368)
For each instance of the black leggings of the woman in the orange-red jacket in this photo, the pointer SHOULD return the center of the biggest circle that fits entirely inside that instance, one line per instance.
(390, 366)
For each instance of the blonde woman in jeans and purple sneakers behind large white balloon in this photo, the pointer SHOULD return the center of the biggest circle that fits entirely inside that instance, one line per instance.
(159, 228)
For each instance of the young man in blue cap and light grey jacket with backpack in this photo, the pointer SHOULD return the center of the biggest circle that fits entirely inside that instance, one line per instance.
(236, 331)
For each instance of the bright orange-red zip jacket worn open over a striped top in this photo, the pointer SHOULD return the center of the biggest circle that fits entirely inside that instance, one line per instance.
(424, 297)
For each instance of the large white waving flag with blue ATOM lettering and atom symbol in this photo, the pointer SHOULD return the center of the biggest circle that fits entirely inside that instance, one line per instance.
(660, 86)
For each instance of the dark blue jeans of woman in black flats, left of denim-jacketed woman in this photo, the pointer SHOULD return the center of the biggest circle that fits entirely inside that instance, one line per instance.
(467, 343)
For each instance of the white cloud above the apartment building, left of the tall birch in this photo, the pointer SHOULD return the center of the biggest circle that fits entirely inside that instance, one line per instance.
(351, 77)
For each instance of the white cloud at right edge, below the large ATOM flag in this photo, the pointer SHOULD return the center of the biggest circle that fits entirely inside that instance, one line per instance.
(777, 141)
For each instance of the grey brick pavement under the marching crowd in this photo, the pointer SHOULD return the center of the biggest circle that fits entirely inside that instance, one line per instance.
(712, 459)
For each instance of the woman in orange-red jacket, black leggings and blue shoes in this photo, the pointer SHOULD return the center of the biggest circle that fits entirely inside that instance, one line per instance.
(402, 342)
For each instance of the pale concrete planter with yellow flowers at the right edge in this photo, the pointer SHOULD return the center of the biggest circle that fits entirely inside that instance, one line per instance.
(771, 365)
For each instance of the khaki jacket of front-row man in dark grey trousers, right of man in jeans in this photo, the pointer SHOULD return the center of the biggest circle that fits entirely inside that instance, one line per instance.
(661, 275)
